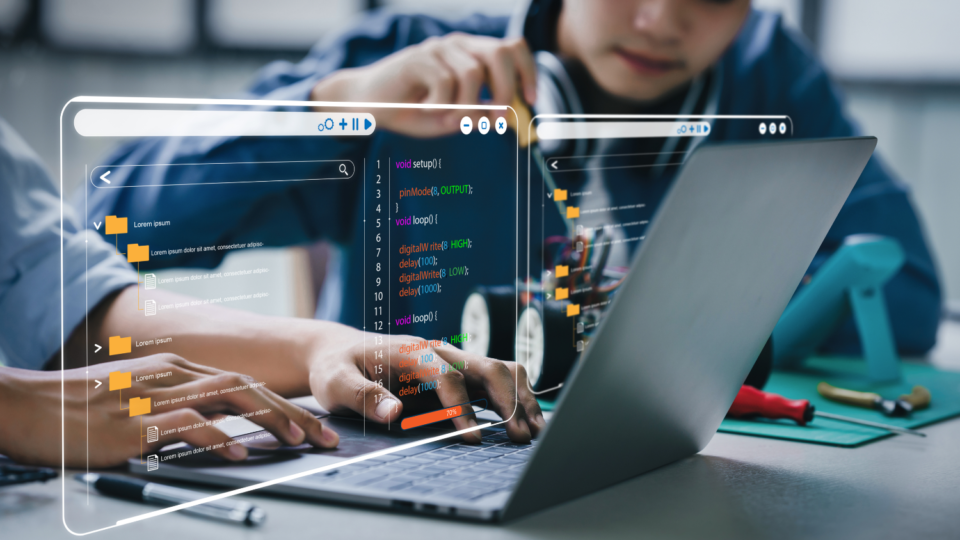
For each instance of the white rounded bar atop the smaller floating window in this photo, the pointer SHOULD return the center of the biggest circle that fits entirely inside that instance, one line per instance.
(620, 130)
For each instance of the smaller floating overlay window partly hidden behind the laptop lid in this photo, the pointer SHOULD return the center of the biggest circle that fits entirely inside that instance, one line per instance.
(596, 182)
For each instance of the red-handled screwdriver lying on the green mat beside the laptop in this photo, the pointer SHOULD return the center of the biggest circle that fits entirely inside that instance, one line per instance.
(753, 402)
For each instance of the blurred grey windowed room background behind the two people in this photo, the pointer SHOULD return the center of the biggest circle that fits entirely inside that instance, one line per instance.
(899, 63)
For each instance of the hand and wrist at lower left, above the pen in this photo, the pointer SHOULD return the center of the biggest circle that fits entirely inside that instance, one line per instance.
(33, 434)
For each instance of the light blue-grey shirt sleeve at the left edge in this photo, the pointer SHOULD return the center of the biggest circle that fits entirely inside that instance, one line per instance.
(32, 273)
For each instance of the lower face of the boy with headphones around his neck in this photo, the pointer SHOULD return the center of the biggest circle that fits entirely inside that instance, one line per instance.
(643, 49)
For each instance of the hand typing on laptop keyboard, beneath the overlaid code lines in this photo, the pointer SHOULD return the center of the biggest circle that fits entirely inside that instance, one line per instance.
(343, 378)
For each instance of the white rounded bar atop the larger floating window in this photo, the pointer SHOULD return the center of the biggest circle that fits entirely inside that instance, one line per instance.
(171, 123)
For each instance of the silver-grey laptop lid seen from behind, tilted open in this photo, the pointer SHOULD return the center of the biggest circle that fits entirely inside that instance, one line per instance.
(723, 256)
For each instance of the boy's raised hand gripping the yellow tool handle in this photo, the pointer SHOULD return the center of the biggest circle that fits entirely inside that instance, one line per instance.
(441, 70)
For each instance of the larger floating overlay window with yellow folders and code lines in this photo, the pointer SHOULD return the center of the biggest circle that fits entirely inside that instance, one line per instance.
(228, 256)
